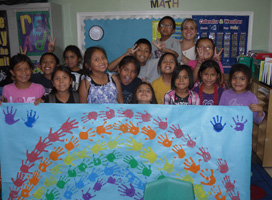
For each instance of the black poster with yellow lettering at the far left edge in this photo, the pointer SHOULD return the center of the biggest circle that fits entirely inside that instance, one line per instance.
(4, 50)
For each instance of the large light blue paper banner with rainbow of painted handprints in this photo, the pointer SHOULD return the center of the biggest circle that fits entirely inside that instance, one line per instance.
(80, 151)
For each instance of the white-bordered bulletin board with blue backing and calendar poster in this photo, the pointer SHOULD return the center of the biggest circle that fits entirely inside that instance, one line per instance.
(118, 31)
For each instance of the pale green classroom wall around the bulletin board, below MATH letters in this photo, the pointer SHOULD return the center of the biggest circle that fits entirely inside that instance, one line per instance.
(261, 9)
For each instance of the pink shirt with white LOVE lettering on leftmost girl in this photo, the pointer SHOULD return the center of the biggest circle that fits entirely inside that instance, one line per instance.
(28, 95)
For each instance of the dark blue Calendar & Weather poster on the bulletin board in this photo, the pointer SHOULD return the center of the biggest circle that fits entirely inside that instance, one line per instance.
(228, 32)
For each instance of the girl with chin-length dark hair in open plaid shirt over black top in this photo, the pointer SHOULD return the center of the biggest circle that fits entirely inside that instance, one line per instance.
(181, 83)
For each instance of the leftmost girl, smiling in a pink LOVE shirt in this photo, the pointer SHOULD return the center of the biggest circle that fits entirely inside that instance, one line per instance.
(22, 90)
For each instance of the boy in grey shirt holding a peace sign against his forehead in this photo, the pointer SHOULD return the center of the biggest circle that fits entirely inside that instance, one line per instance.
(142, 52)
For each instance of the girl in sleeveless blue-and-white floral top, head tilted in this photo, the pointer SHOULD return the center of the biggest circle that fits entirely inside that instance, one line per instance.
(97, 86)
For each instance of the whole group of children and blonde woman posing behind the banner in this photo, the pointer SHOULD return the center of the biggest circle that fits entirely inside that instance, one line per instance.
(165, 72)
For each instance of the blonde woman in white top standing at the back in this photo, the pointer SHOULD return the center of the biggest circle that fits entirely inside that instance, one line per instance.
(188, 33)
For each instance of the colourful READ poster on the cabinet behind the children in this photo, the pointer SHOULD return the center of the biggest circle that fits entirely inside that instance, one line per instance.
(33, 31)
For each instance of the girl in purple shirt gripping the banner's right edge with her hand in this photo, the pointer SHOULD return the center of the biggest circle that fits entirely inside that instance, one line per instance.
(239, 94)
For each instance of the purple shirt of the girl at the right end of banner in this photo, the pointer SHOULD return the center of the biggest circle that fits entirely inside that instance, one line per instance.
(231, 98)
